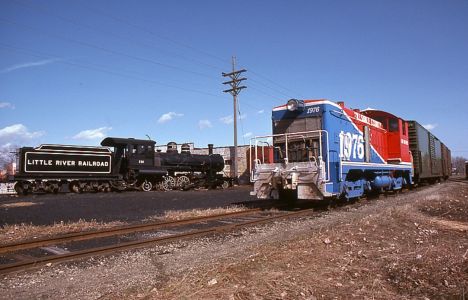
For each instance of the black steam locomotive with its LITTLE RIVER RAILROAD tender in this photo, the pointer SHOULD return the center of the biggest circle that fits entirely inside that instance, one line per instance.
(132, 163)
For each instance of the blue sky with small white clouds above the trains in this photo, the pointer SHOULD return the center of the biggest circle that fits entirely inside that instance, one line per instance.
(75, 71)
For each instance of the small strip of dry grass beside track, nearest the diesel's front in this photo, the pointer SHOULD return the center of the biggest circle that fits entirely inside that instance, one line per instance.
(175, 215)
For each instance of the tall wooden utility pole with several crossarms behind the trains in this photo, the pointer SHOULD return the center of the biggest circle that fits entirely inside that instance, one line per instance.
(235, 89)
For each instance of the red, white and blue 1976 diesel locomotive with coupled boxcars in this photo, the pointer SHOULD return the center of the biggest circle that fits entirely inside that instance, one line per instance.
(320, 149)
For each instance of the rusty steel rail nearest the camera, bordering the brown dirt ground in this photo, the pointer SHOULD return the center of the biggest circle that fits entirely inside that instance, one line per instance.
(17, 266)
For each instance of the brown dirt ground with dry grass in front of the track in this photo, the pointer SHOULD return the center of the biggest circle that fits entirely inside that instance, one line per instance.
(409, 246)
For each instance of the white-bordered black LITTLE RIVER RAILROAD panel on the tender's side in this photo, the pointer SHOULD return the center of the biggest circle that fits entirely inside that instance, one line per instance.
(47, 162)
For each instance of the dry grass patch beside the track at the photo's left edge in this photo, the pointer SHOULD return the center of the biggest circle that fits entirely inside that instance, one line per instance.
(19, 232)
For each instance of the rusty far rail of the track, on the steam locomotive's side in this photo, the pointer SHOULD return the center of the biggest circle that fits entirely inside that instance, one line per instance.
(80, 236)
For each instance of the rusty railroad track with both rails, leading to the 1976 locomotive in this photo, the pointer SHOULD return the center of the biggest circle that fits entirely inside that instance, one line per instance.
(19, 252)
